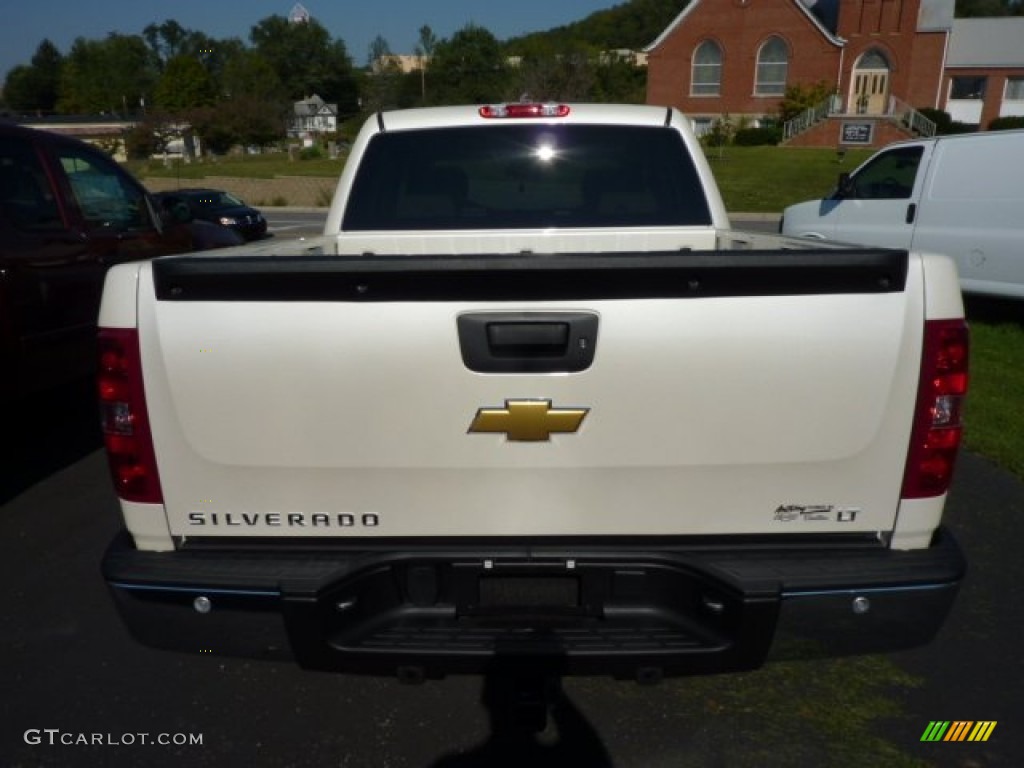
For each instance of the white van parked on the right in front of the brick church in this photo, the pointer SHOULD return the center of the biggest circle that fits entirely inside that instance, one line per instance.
(962, 196)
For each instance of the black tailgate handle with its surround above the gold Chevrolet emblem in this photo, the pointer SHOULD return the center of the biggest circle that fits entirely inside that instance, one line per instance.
(528, 343)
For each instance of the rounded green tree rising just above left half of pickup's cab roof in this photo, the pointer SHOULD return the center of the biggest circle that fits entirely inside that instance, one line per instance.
(471, 68)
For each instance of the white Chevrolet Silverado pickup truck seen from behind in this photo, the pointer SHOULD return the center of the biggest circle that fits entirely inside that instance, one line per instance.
(530, 401)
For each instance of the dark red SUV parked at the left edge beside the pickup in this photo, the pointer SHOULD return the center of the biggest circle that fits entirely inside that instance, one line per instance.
(67, 214)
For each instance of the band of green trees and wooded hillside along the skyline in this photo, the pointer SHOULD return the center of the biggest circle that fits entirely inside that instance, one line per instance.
(233, 93)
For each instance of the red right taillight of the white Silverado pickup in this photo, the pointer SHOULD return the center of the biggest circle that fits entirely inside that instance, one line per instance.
(938, 423)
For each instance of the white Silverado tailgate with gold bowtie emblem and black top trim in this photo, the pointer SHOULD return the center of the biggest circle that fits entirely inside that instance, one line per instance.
(729, 394)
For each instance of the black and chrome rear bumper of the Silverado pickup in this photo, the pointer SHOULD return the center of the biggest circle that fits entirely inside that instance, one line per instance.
(633, 612)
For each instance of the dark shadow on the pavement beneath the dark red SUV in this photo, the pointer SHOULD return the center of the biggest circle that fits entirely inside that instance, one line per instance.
(46, 433)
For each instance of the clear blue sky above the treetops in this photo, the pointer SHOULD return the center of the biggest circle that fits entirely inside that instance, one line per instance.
(28, 23)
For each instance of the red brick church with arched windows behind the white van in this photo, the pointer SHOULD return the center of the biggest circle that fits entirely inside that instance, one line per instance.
(884, 59)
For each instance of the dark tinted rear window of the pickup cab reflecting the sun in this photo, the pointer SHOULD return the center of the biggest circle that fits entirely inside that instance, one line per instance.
(527, 177)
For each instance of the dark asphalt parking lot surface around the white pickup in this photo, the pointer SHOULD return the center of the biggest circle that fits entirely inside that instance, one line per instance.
(69, 672)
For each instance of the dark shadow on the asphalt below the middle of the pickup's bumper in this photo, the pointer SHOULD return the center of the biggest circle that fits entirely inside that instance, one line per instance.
(533, 724)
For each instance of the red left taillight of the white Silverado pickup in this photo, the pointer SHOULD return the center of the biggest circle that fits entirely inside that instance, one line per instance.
(124, 420)
